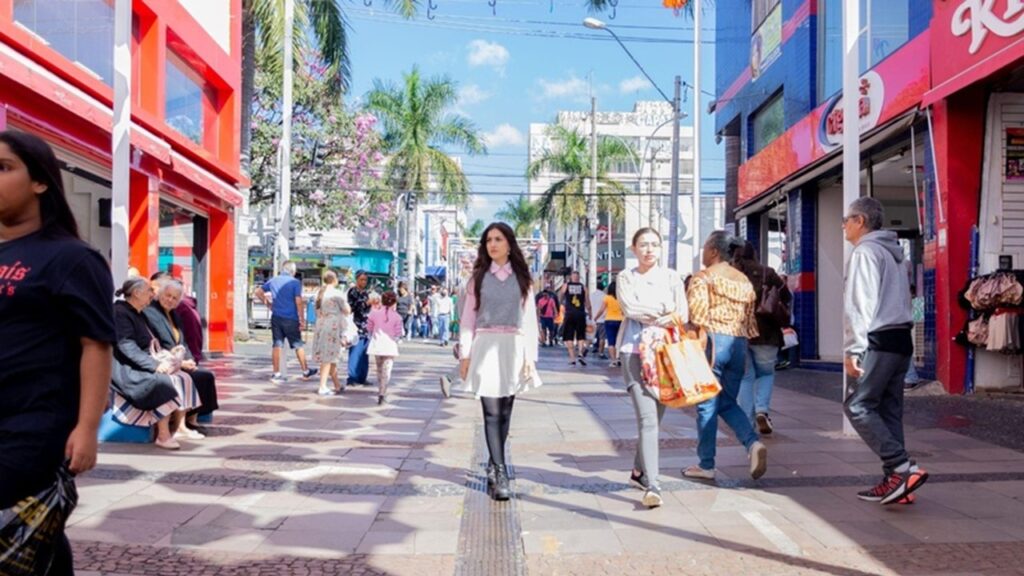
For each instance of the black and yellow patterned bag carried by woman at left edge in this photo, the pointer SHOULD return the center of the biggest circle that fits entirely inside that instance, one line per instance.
(32, 528)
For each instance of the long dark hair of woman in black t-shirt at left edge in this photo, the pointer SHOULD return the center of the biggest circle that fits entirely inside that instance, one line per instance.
(44, 169)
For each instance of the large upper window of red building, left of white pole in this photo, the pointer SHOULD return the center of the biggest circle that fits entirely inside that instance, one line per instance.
(81, 30)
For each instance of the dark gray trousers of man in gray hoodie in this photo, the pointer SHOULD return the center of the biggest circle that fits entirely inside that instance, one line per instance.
(876, 406)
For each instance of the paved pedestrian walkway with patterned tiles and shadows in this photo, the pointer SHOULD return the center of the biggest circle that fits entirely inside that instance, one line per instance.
(294, 484)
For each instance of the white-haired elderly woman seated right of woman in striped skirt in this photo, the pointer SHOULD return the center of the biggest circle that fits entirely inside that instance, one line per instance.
(169, 331)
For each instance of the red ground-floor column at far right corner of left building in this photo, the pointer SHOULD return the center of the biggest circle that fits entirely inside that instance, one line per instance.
(222, 311)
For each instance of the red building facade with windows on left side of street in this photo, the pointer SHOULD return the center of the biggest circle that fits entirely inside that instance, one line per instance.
(57, 73)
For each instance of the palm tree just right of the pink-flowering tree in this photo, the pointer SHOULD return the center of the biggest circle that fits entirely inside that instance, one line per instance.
(417, 121)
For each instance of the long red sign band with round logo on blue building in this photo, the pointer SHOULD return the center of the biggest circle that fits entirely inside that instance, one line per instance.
(895, 87)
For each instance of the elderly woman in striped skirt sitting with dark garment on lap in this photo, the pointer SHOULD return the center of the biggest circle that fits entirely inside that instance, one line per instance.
(149, 385)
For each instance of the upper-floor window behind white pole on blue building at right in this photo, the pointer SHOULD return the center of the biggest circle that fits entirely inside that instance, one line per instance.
(885, 27)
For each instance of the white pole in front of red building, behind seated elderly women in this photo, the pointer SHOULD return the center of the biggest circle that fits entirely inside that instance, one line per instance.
(121, 142)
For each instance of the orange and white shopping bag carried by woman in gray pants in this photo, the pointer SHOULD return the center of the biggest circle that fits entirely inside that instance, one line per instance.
(675, 366)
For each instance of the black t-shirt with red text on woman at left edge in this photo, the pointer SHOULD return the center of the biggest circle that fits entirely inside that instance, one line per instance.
(54, 292)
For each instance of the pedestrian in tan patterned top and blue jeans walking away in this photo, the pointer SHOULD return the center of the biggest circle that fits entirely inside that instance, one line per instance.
(722, 302)
